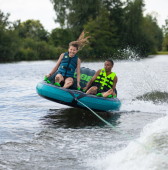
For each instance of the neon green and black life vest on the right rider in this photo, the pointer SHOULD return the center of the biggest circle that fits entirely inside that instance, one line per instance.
(106, 82)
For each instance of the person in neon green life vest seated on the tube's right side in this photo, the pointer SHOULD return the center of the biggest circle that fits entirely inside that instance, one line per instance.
(103, 82)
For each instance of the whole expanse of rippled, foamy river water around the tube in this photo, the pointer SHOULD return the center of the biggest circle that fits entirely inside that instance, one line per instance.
(39, 134)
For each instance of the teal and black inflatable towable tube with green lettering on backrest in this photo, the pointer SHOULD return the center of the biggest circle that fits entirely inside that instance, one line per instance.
(69, 96)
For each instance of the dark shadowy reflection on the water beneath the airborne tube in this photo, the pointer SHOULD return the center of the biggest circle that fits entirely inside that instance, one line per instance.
(77, 118)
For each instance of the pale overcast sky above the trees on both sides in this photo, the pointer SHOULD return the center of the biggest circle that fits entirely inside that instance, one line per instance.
(43, 10)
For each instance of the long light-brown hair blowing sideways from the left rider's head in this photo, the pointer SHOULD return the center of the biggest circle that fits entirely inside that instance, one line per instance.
(80, 42)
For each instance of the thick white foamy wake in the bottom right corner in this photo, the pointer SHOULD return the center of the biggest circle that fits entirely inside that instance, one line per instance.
(135, 156)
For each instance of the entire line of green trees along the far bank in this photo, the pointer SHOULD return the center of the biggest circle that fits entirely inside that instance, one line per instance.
(113, 25)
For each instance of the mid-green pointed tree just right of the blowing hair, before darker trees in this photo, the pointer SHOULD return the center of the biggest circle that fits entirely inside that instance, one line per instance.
(103, 32)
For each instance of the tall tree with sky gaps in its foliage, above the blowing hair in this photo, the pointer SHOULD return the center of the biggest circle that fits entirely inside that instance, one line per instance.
(75, 14)
